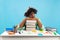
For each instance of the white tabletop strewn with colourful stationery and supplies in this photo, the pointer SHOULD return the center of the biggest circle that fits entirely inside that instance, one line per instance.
(30, 33)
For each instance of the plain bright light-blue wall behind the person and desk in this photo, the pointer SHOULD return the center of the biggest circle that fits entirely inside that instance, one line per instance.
(12, 12)
